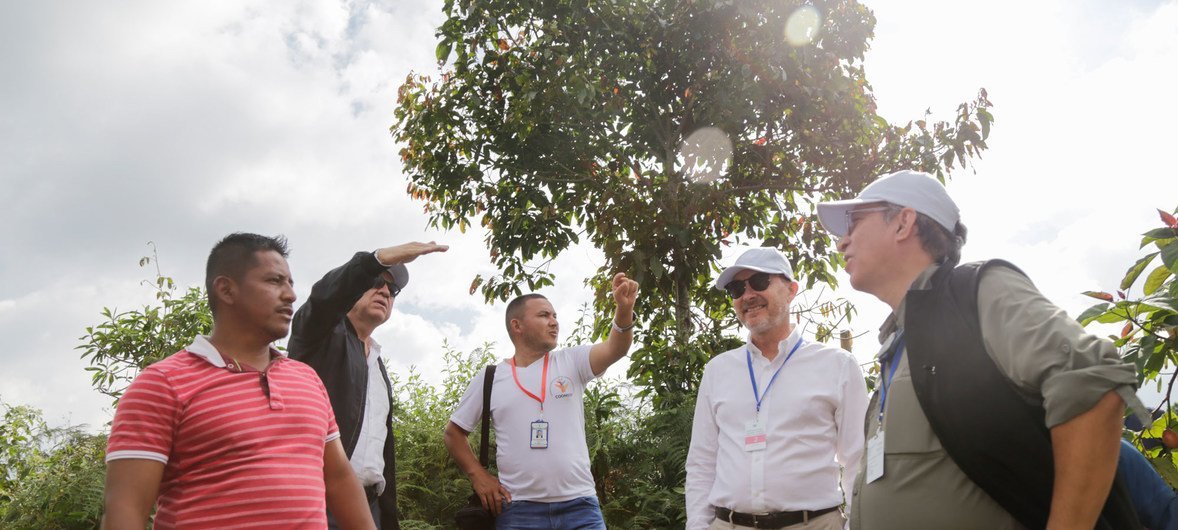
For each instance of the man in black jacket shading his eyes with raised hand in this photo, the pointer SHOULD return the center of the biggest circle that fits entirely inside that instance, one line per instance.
(333, 333)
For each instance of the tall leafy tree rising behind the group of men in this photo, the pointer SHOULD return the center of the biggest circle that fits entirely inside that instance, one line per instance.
(657, 131)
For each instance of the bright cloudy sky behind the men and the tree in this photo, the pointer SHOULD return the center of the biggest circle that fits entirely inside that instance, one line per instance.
(176, 123)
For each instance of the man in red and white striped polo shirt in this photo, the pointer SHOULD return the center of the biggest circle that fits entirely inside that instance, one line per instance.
(229, 433)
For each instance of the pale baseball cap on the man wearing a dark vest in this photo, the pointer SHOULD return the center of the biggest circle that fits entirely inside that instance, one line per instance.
(909, 189)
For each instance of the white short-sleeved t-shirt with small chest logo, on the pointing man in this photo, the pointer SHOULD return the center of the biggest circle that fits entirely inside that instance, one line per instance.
(560, 473)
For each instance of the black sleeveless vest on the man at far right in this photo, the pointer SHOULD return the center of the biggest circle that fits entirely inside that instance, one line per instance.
(992, 433)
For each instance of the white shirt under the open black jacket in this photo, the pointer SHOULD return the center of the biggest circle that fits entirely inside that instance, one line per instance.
(368, 458)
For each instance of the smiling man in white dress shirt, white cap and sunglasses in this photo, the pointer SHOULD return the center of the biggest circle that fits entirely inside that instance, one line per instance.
(778, 430)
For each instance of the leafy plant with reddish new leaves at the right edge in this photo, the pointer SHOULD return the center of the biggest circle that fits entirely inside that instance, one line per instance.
(1149, 337)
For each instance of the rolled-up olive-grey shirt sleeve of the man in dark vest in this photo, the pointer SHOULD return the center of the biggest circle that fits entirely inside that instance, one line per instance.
(1045, 353)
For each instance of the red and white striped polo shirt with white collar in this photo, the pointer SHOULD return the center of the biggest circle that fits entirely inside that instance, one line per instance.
(241, 448)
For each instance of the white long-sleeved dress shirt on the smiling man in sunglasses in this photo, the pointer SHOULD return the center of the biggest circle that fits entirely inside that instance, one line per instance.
(813, 421)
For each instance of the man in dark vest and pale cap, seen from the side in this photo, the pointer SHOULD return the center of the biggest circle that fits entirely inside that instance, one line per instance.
(995, 409)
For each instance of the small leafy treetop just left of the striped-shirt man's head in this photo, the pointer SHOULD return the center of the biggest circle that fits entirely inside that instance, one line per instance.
(128, 342)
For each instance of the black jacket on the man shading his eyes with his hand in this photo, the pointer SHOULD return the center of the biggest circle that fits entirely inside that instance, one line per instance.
(323, 337)
